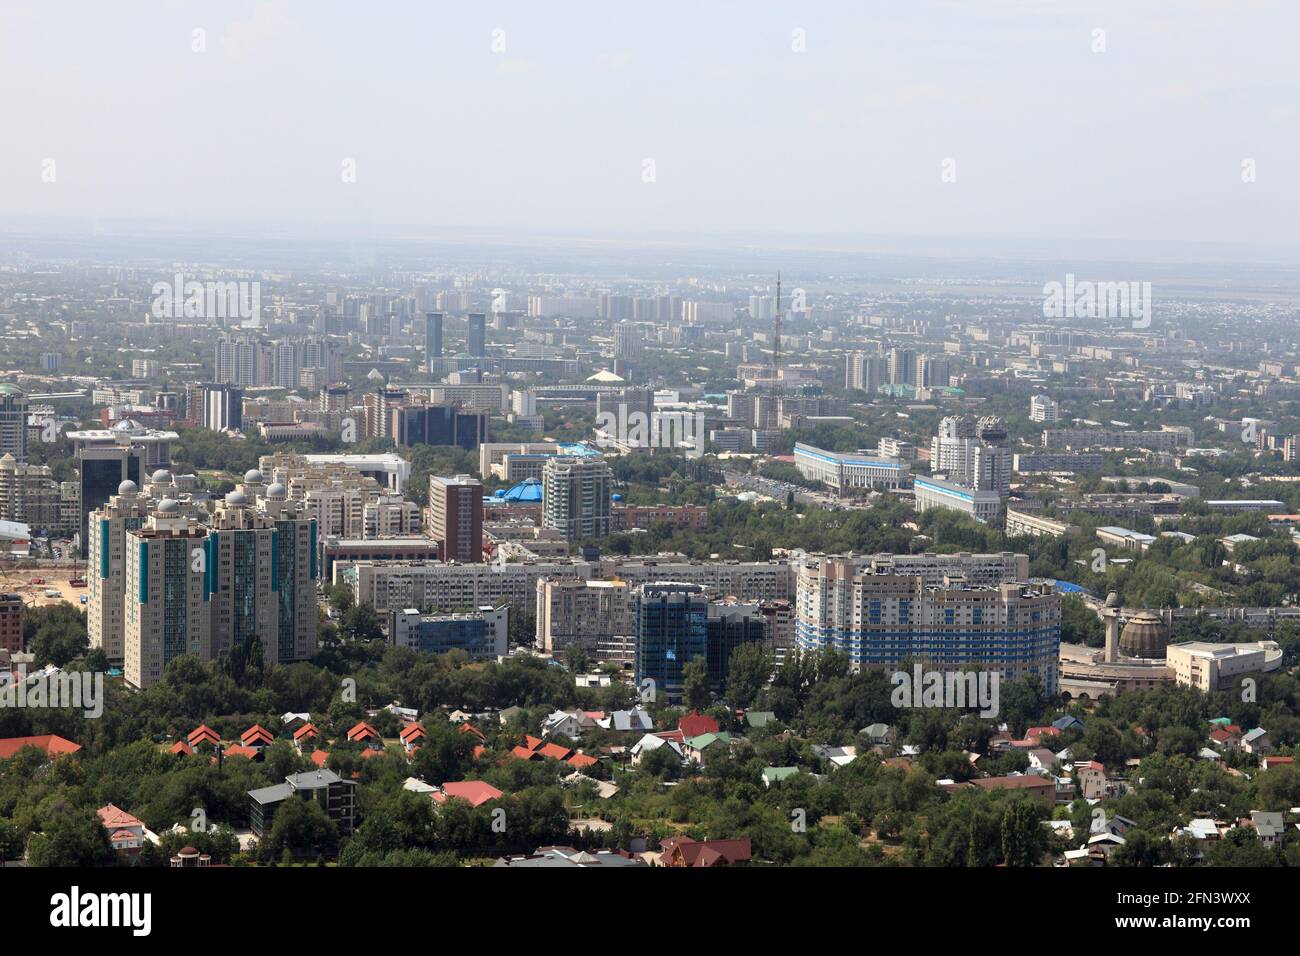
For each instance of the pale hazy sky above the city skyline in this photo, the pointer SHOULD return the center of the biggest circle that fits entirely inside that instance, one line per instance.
(748, 137)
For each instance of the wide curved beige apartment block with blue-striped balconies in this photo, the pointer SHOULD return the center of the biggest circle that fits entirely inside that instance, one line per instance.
(882, 621)
